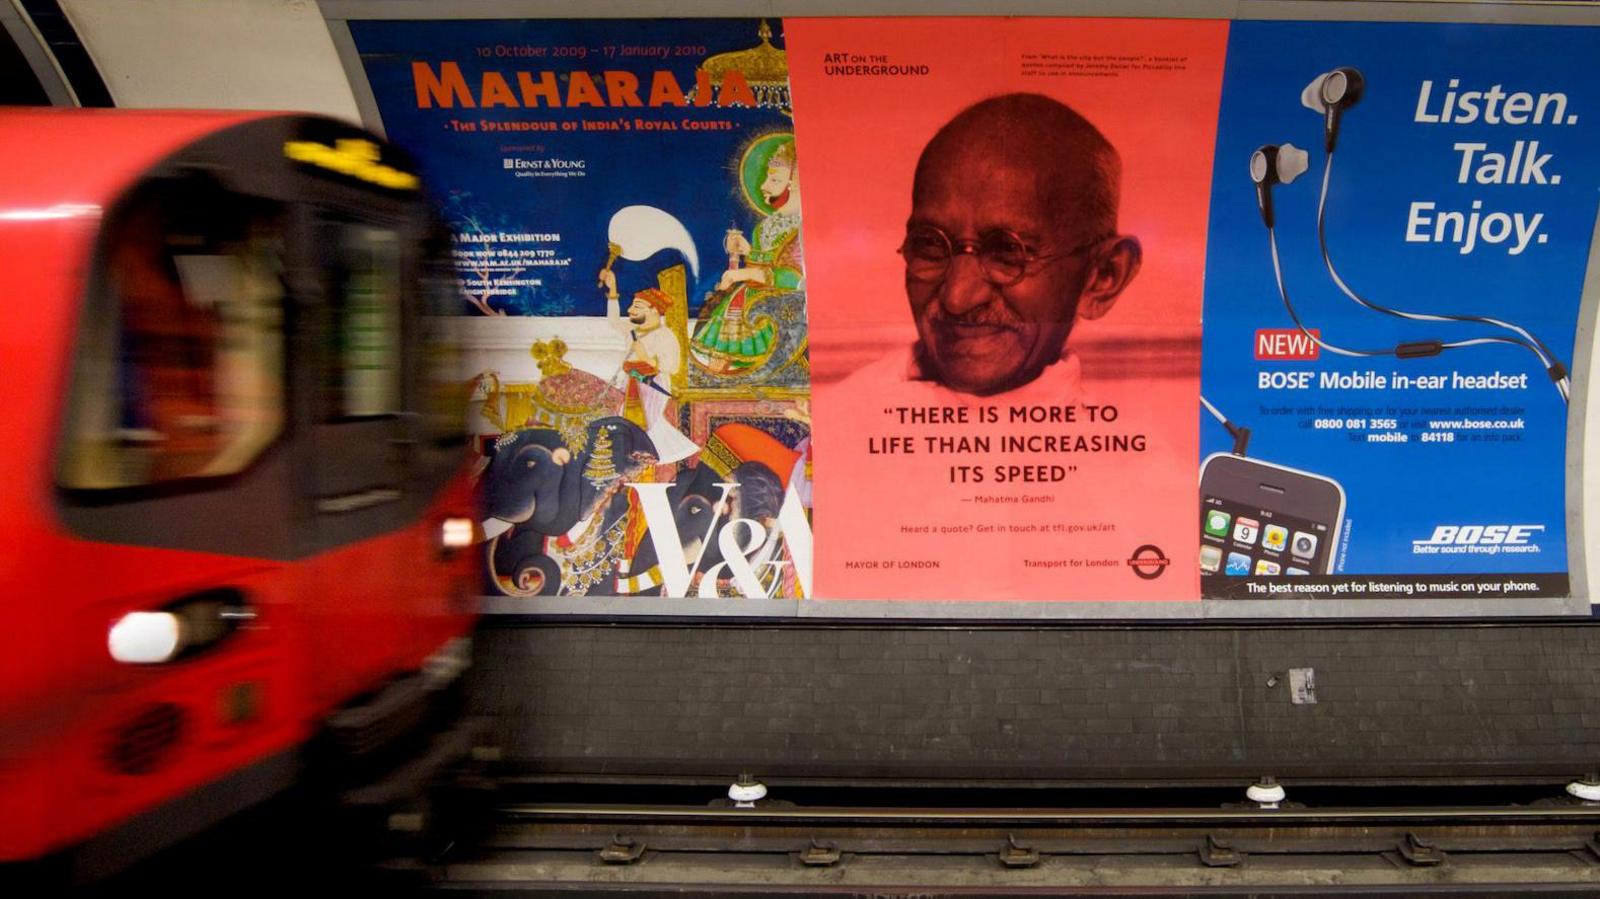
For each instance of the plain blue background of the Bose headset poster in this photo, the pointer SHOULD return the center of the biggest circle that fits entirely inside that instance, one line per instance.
(1398, 493)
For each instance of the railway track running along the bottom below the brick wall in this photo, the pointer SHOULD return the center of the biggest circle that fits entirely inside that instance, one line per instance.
(534, 847)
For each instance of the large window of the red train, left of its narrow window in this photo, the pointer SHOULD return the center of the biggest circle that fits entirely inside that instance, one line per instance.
(180, 370)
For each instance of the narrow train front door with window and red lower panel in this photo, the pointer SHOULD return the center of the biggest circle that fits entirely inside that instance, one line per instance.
(361, 450)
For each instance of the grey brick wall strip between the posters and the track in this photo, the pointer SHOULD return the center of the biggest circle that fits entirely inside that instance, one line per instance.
(1060, 703)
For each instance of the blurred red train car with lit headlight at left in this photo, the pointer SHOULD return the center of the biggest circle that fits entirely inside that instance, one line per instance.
(233, 503)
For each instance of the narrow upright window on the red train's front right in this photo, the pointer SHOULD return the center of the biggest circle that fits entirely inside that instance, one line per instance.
(366, 367)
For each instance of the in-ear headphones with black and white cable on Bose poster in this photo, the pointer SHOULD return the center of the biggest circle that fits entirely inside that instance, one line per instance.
(1332, 94)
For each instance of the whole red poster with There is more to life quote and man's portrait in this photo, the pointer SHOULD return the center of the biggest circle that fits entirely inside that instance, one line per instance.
(1006, 252)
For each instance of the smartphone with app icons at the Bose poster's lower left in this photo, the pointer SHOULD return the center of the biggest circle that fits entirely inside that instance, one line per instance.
(1265, 521)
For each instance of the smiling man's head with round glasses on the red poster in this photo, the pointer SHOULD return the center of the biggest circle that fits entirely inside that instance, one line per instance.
(1012, 239)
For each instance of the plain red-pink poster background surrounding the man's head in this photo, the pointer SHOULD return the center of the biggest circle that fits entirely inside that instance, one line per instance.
(892, 525)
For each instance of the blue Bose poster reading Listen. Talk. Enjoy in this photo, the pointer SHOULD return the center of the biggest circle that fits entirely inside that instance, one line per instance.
(1391, 308)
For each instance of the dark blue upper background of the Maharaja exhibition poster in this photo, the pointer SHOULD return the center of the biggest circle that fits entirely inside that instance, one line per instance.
(690, 172)
